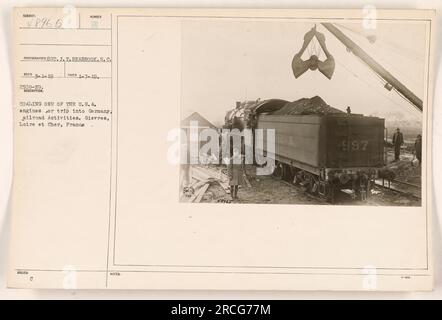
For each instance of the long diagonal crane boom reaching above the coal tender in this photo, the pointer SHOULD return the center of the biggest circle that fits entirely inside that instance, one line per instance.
(375, 66)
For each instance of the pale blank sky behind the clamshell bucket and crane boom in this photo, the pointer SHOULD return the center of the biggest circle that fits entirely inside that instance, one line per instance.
(225, 61)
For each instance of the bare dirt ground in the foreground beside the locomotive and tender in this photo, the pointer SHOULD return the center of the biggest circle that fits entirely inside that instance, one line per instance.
(268, 189)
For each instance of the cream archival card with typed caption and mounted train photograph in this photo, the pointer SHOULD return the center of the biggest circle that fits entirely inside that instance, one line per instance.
(224, 149)
